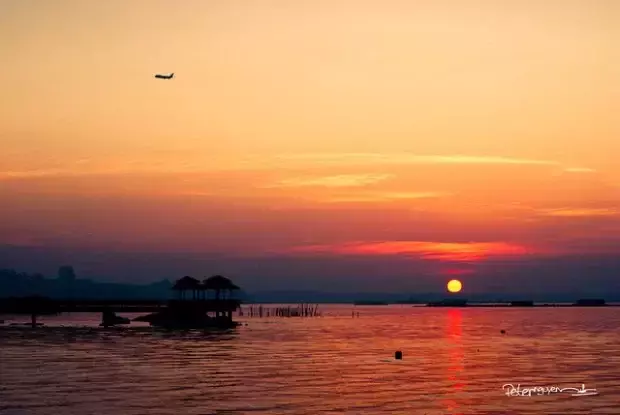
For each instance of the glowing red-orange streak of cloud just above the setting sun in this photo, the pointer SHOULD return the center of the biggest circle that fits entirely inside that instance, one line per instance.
(439, 251)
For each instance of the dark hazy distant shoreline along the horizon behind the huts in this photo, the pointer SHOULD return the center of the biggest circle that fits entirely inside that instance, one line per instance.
(67, 286)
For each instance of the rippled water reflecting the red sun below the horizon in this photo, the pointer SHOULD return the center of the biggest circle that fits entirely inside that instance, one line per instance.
(455, 361)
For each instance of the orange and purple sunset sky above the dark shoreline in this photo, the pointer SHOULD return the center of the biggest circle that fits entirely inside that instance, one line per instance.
(314, 144)
